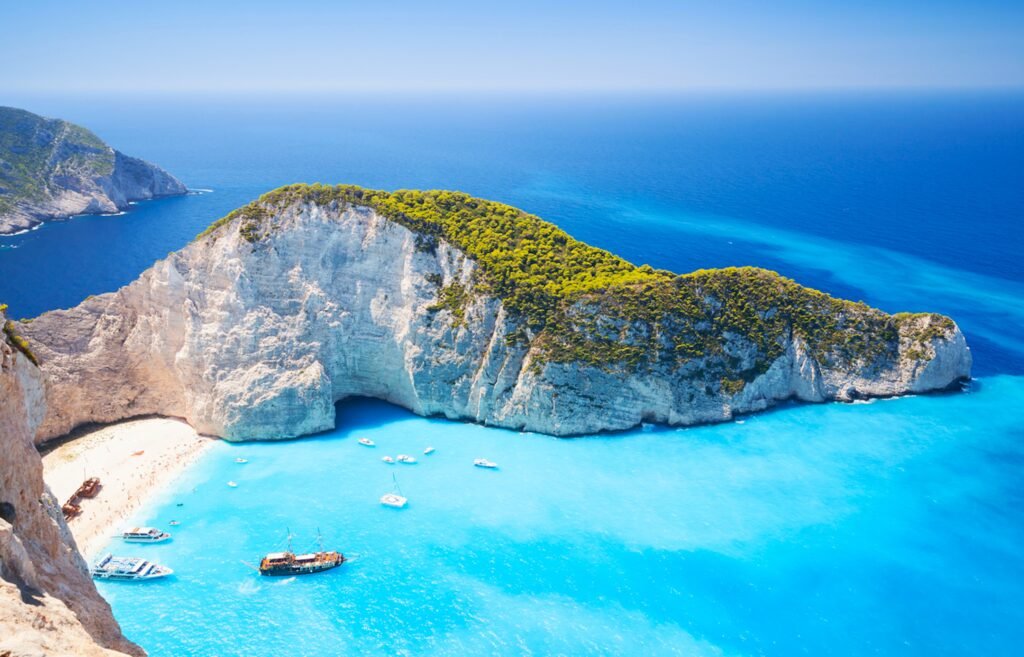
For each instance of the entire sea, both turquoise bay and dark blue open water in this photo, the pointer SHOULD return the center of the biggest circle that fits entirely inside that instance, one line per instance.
(886, 529)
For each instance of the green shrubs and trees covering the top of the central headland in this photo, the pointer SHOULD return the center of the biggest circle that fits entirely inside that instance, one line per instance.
(583, 304)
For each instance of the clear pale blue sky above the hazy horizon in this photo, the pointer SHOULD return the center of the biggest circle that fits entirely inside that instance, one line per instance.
(311, 46)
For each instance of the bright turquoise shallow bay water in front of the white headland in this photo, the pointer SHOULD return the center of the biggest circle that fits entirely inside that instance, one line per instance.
(788, 534)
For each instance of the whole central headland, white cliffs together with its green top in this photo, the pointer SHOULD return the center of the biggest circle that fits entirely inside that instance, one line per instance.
(450, 305)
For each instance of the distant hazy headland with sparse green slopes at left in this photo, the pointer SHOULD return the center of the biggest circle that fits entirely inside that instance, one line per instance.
(52, 169)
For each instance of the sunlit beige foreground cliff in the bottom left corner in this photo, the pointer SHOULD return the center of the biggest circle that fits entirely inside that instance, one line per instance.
(49, 604)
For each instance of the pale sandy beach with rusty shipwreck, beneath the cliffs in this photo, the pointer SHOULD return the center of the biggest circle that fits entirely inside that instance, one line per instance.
(134, 460)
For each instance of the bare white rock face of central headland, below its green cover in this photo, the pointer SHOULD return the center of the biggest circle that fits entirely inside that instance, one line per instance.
(259, 340)
